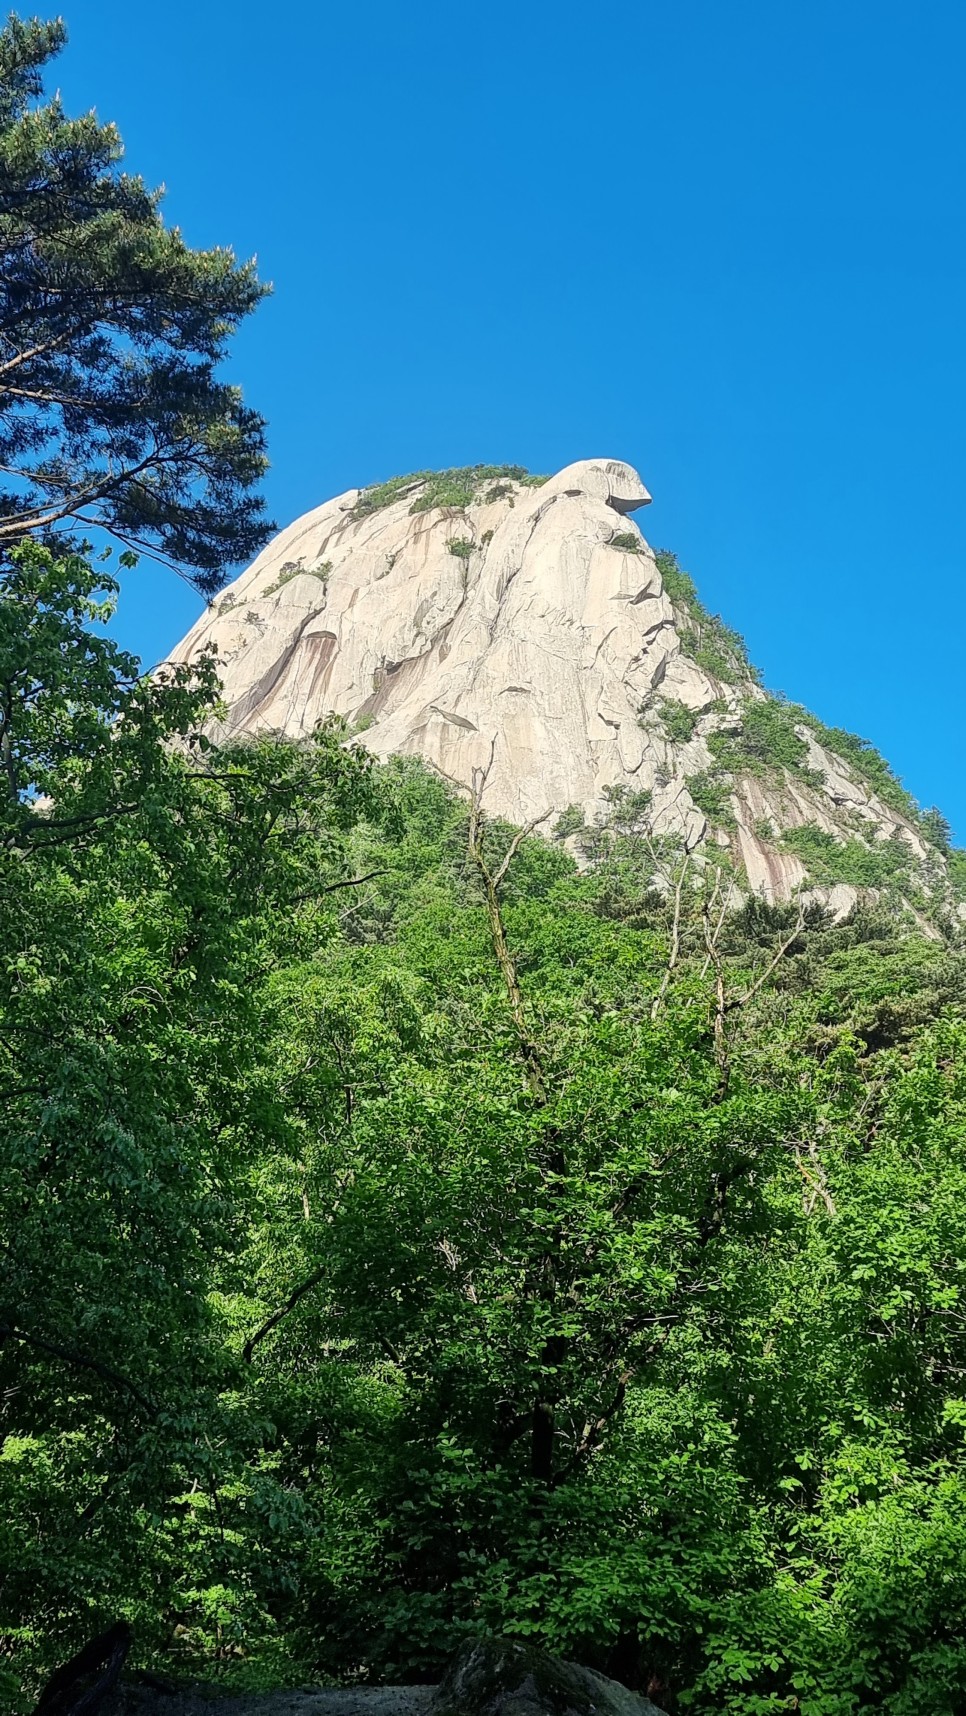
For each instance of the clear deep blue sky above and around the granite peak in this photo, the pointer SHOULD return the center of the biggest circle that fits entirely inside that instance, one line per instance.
(725, 243)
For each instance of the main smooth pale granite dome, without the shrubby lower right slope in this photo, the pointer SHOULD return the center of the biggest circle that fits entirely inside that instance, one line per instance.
(533, 624)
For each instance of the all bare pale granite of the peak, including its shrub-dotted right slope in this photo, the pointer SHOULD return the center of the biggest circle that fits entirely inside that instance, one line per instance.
(529, 629)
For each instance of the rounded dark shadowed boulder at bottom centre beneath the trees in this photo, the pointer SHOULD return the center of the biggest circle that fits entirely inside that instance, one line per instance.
(502, 1677)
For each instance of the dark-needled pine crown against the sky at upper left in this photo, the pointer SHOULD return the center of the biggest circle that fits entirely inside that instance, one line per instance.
(112, 413)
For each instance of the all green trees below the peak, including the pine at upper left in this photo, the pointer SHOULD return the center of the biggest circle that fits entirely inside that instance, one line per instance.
(413, 1226)
